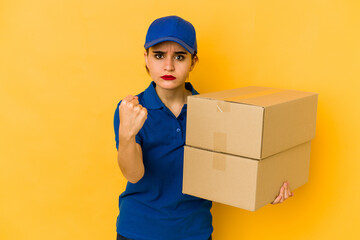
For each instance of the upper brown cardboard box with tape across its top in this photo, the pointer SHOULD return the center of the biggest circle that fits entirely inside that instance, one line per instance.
(254, 122)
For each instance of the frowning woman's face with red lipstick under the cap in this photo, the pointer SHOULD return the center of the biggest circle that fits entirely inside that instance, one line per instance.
(169, 64)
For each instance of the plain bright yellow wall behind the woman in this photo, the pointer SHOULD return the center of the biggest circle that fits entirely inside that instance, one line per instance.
(64, 65)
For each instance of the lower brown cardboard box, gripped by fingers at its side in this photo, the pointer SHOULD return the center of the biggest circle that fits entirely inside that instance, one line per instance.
(243, 182)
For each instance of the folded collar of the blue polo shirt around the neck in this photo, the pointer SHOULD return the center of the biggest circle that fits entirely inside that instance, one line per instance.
(152, 100)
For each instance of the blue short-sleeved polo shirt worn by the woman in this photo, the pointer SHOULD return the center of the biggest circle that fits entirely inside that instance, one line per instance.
(155, 208)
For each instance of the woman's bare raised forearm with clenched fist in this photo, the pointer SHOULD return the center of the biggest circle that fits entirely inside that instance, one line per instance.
(130, 160)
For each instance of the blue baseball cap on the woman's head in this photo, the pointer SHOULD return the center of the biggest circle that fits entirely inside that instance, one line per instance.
(172, 28)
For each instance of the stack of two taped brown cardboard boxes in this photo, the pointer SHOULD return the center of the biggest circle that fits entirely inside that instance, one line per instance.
(242, 144)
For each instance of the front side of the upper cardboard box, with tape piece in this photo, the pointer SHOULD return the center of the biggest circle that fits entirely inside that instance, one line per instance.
(224, 127)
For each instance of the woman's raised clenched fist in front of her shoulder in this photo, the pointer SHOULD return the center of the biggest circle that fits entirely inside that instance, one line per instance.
(132, 116)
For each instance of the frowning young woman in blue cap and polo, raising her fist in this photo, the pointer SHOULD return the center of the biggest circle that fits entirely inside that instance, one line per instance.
(150, 136)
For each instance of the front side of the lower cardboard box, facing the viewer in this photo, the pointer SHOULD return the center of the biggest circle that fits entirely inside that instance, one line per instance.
(220, 177)
